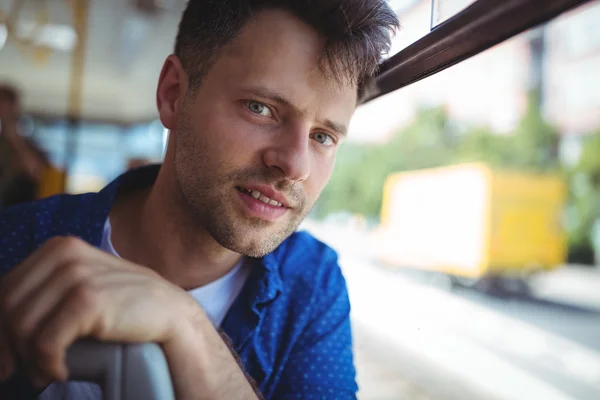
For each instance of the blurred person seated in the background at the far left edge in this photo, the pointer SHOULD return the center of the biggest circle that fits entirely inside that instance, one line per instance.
(21, 161)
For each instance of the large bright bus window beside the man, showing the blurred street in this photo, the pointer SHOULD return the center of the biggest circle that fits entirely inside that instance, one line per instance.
(466, 210)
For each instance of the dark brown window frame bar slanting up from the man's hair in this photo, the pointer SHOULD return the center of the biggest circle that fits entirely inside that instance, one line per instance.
(477, 28)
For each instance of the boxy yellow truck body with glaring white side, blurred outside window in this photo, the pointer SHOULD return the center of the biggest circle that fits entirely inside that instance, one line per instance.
(472, 221)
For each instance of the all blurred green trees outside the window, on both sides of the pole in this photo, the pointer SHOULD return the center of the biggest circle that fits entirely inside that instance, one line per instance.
(357, 183)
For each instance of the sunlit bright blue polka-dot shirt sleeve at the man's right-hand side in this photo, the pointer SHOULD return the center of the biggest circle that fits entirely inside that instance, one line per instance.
(321, 364)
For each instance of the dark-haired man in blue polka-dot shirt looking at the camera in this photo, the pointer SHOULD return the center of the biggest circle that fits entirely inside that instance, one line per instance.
(258, 97)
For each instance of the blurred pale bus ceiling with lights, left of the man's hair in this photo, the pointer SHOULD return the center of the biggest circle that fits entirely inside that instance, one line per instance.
(89, 60)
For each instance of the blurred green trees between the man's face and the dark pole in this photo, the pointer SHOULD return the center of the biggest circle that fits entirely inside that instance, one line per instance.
(357, 182)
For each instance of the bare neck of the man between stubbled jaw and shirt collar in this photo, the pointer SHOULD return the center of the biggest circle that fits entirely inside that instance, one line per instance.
(151, 228)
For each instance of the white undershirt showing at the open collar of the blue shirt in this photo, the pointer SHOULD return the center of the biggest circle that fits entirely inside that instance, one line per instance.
(216, 297)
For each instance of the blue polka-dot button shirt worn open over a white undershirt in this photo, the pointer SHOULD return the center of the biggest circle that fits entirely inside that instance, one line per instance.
(290, 324)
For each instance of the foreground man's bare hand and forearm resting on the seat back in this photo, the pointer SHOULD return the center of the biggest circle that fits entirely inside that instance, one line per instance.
(67, 290)
